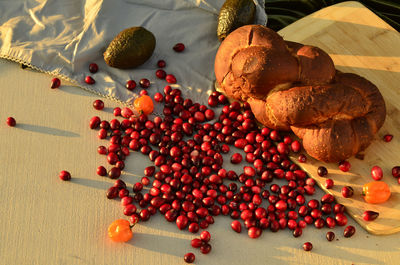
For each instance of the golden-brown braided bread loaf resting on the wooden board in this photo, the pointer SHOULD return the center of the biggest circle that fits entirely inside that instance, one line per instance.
(291, 86)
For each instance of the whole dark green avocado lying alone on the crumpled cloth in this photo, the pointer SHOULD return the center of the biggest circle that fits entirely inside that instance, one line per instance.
(130, 48)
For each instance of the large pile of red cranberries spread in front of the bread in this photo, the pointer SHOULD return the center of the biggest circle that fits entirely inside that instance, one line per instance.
(188, 183)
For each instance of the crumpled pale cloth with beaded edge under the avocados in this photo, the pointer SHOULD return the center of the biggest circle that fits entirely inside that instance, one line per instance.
(63, 37)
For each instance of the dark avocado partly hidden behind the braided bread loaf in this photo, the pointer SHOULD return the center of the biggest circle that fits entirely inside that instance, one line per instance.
(234, 14)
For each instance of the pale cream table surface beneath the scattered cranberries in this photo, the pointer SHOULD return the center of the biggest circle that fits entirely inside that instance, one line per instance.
(44, 220)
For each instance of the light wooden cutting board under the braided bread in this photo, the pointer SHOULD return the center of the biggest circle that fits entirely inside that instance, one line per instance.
(362, 43)
